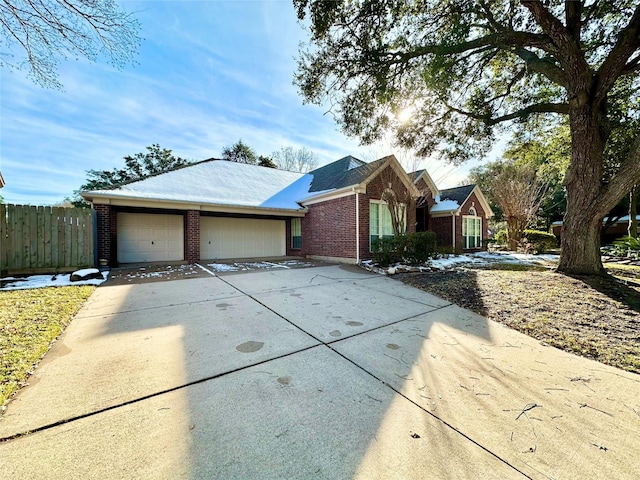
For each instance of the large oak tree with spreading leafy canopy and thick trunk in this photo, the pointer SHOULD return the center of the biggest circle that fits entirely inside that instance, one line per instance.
(469, 69)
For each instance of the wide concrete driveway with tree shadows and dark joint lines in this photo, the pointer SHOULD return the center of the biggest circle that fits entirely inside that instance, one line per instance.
(327, 372)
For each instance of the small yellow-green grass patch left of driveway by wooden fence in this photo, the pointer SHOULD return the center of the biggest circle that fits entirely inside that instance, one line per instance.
(30, 320)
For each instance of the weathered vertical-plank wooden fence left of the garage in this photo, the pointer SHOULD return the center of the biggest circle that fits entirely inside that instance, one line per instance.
(45, 239)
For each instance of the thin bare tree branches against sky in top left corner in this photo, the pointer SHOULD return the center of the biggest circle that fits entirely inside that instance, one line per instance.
(38, 33)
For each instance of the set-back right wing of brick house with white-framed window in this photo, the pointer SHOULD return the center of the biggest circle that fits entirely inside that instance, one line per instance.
(459, 216)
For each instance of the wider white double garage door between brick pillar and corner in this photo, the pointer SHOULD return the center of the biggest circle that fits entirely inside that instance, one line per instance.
(222, 237)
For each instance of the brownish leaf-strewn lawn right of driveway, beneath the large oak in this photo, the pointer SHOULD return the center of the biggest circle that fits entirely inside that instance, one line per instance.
(594, 317)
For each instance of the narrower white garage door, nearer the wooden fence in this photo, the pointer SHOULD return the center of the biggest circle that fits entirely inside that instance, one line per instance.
(144, 237)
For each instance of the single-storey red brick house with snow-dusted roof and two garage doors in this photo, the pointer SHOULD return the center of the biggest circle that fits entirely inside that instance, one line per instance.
(216, 209)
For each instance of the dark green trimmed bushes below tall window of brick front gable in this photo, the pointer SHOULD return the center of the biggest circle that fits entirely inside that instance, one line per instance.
(414, 248)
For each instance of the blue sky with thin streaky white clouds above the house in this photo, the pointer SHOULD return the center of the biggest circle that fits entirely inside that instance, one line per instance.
(208, 73)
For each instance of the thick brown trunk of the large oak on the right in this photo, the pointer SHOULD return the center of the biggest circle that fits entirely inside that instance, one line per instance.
(582, 226)
